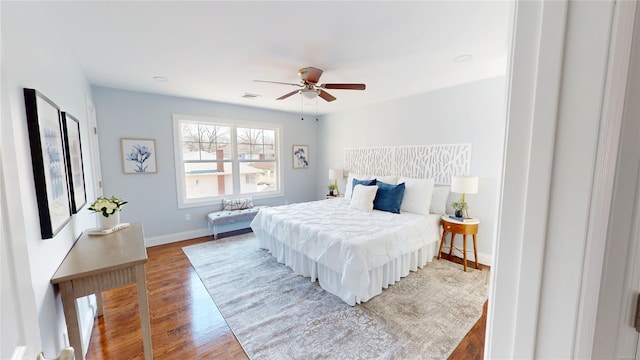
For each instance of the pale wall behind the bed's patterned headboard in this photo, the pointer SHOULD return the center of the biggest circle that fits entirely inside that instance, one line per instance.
(468, 113)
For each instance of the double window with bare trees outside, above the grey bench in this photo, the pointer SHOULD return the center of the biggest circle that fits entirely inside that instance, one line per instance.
(218, 158)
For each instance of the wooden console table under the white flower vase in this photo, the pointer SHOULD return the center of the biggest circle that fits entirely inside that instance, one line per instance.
(98, 263)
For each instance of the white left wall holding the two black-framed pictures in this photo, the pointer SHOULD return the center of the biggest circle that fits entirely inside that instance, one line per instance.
(34, 55)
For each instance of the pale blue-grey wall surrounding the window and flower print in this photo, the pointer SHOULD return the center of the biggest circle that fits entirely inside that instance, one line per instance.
(152, 197)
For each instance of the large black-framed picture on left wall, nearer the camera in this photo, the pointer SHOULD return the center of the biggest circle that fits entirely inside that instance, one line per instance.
(48, 162)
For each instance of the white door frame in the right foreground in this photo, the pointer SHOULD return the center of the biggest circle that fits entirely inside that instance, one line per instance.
(517, 324)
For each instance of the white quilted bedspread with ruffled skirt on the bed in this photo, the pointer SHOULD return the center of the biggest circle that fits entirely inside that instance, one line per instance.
(354, 245)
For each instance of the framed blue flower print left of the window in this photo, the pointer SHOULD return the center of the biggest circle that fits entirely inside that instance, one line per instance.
(138, 156)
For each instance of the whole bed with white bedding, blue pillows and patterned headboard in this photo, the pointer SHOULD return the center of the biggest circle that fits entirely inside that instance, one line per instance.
(355, 252)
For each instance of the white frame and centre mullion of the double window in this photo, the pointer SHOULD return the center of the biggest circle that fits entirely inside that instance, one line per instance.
(183, 202)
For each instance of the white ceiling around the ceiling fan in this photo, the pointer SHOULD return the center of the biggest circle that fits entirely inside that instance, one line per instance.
(214, 50)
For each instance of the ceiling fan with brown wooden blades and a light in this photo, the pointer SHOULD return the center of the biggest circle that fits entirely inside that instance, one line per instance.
(309, 87)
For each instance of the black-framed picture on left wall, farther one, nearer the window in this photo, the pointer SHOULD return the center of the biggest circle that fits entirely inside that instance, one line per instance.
(75, 167)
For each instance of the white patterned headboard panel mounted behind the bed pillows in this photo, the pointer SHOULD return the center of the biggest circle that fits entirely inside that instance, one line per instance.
(420, 161)
